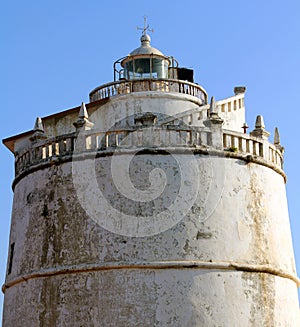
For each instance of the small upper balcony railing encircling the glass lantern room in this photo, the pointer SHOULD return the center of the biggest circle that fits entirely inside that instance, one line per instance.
(162, 85)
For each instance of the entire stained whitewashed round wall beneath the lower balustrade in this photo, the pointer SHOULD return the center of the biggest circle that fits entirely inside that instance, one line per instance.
(228, 262)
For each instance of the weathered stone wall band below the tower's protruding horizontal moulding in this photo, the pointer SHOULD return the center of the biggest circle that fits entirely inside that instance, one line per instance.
(152, 297)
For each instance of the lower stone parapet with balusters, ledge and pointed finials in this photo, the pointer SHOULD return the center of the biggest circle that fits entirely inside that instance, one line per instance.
(148, 135)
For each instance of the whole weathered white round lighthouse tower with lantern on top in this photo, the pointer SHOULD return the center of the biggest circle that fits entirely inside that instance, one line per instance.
(150, 206)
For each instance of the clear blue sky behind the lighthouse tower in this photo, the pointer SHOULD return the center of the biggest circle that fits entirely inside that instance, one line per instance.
(54, 52)
